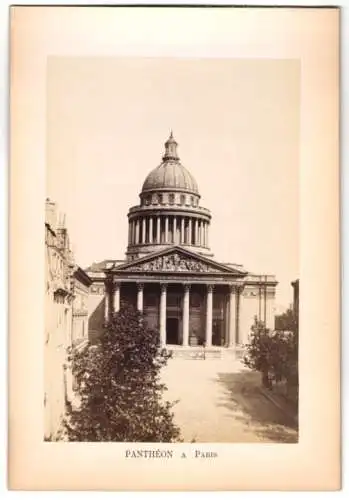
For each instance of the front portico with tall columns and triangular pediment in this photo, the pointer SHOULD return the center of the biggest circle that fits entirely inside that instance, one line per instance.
(188, 308)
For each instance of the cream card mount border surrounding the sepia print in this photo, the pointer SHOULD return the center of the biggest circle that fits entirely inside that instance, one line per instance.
(35, 35)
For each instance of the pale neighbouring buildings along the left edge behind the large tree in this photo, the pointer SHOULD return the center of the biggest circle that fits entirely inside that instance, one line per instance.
(66, 297)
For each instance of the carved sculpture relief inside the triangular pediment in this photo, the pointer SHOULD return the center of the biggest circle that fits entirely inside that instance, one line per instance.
(176, 263)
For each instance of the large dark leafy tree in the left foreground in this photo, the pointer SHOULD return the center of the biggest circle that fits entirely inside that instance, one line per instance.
(119, 385)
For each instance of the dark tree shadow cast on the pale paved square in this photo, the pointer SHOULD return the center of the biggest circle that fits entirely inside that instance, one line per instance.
(245, 401)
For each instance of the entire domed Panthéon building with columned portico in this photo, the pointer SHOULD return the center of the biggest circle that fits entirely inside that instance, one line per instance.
(169, 273)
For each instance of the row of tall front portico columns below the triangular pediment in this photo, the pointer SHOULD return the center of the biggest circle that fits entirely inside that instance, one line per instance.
(234, 307)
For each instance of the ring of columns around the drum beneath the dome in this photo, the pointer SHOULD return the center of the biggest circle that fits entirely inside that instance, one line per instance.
(175, 229)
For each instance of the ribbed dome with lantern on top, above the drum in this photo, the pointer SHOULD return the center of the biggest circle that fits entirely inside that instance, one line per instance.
(170, 174)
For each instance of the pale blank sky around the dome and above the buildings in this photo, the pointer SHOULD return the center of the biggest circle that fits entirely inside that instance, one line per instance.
(236, 122)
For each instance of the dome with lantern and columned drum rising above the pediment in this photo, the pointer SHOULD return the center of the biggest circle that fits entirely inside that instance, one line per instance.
(169, 212)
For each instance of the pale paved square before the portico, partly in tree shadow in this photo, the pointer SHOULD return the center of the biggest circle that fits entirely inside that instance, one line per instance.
(220, 401)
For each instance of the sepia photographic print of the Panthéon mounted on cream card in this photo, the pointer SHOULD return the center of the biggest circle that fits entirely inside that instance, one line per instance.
(172, 250)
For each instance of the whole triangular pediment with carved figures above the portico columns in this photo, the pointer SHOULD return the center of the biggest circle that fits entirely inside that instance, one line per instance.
(177, 260)
